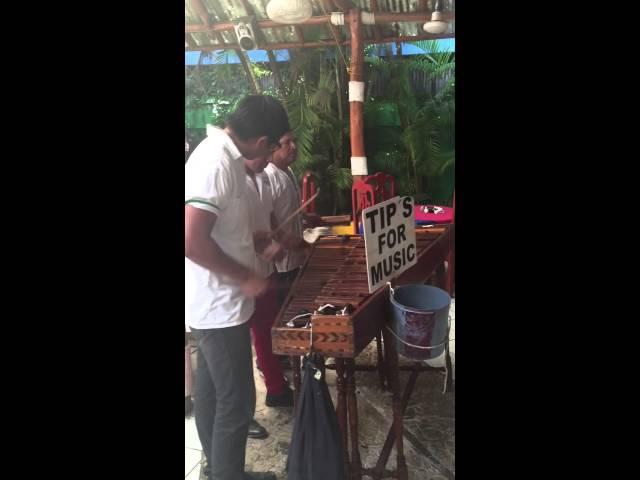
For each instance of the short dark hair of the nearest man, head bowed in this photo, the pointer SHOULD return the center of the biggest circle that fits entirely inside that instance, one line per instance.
(257, 116)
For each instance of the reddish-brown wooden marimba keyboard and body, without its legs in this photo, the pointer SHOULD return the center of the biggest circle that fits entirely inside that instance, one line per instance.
(336, 273)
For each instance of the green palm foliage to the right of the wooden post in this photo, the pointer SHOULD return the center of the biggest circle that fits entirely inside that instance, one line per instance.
(421, 150)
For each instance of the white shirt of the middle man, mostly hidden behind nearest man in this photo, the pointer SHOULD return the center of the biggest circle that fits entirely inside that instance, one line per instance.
(260, 209)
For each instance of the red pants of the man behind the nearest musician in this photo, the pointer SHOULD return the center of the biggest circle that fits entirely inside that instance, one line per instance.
(260, 323)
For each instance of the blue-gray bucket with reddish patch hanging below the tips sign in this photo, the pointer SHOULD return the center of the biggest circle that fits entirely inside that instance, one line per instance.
(420, 320)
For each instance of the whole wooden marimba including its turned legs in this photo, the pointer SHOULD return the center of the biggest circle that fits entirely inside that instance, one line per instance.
(335, 273)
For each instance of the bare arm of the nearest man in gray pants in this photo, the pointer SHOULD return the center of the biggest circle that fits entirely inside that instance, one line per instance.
(203, 250)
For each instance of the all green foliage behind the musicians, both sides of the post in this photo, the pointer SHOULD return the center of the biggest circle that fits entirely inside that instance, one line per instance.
(414, 140)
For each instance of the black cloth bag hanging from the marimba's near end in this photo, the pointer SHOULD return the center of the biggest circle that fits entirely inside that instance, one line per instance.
(315, 452)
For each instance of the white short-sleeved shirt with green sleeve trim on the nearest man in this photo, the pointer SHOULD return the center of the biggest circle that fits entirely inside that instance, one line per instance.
(215, 181)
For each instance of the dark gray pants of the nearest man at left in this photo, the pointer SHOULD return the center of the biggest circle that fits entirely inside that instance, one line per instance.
(225, 398)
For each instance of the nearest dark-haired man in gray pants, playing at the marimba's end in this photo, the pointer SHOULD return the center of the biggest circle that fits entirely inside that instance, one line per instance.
(220, 281)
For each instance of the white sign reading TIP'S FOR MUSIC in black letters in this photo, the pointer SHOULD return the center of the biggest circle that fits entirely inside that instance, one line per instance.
(390, 240)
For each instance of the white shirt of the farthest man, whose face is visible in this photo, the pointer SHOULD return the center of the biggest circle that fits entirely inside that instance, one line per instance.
(286, 200)
